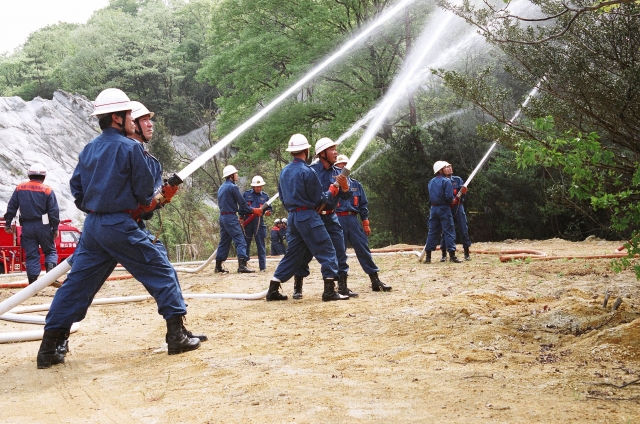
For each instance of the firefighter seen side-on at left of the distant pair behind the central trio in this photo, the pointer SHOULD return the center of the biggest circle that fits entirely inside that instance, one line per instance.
(230, 202)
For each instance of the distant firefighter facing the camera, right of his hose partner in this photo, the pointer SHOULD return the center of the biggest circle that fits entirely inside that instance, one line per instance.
(257, 229)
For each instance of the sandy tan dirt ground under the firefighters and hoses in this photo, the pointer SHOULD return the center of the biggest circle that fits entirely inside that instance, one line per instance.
(482, 341)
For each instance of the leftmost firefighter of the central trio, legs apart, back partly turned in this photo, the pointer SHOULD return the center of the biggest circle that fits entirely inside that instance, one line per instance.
(301, 193)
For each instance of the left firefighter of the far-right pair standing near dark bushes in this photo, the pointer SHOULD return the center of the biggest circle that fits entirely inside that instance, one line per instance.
(440, 217)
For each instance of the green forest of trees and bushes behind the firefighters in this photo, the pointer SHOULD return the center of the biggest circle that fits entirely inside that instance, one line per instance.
(567, 167)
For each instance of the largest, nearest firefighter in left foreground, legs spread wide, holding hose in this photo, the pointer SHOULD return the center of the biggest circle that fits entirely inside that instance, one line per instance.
(111, 179)
